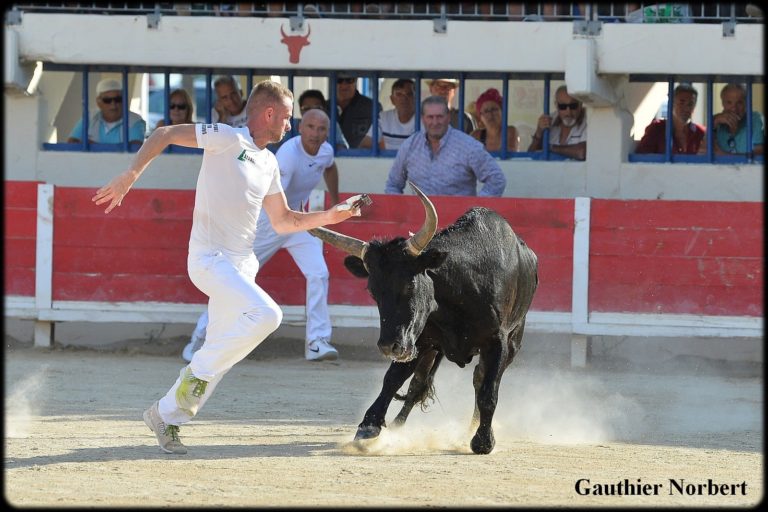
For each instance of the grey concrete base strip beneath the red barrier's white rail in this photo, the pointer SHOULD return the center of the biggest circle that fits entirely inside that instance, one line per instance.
(621, 352)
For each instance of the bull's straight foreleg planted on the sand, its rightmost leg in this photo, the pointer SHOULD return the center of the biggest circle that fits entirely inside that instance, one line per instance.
(487, 376)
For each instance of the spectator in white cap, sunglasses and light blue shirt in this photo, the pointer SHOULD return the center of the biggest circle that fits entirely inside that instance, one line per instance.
(106, 126)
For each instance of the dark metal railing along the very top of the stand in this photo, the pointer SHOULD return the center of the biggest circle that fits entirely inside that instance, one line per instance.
(700, 12)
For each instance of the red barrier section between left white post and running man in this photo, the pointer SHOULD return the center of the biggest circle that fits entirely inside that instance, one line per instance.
(138, 252)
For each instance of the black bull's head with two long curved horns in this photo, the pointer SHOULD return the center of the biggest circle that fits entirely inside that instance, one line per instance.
(397, 280)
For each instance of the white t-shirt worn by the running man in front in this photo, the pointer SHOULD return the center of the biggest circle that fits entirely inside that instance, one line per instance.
(234, 178)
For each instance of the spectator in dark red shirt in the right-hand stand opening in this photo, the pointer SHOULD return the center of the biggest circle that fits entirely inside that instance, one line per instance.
(687, 135)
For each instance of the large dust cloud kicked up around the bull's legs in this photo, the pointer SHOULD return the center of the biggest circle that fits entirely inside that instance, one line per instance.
(536, 405)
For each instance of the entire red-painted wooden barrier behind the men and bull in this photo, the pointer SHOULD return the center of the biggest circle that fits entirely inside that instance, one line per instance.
(678, 257)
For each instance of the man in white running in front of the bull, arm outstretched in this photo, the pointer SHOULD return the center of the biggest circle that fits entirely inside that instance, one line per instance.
(238, 177)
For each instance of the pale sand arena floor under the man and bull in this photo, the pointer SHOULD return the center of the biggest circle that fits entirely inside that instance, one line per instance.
(278, 432)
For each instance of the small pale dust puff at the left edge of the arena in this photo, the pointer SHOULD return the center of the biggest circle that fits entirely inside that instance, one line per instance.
(23, 401)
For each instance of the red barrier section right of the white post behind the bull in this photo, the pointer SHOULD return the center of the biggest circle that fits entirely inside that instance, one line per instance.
(694, 257)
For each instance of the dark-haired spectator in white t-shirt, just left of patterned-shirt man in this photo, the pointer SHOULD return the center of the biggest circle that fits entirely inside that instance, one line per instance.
(397, 124)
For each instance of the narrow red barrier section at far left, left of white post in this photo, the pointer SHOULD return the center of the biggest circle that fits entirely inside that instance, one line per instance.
(20, 237)
